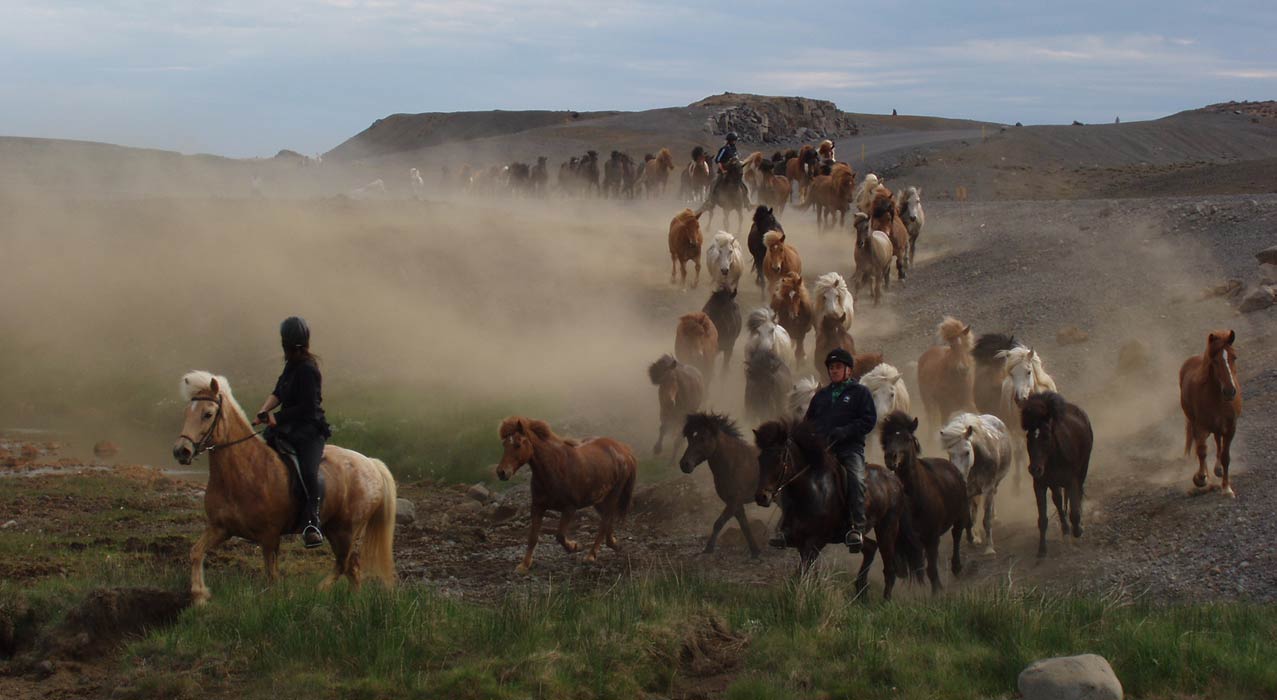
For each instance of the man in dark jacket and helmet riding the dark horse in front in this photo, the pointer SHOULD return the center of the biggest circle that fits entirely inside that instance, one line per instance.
(843, 412)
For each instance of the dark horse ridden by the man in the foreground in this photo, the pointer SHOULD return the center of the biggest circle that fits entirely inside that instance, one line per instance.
(797, 472)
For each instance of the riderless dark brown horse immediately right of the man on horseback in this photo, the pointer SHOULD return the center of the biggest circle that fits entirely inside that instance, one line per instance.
(934, 489)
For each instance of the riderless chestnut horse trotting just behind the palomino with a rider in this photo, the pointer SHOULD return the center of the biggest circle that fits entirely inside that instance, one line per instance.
(569, 476)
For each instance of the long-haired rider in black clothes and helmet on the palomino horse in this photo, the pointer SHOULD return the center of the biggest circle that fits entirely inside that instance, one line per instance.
(301, 420)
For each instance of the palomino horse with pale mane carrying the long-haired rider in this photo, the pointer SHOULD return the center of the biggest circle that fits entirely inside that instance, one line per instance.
(251, 496)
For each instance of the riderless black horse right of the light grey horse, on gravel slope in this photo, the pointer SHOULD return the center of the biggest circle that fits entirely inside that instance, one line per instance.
(1059, 439)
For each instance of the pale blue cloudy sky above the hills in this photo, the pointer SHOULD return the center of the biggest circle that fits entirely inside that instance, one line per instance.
(251, 77)
